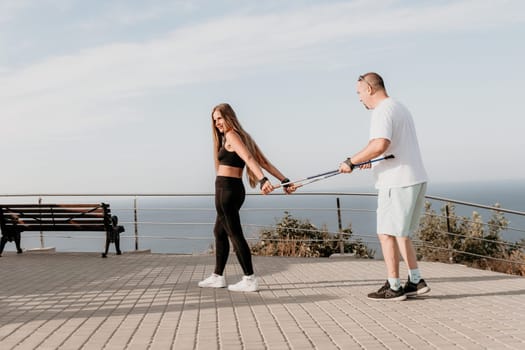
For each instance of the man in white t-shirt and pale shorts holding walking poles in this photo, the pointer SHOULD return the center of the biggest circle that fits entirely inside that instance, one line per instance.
(401, 184)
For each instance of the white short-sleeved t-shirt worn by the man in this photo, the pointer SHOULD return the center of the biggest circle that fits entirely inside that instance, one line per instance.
(391, 120)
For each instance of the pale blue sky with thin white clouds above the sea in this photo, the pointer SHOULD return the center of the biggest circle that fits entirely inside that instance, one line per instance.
(116, 96)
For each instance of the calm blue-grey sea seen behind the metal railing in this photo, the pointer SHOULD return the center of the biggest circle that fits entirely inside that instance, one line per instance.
(183, 224)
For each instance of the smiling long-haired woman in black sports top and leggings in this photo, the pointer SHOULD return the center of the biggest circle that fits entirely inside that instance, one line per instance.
(233, 149)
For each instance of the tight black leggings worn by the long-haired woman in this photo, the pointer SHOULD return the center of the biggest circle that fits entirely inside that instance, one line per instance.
(229, 197)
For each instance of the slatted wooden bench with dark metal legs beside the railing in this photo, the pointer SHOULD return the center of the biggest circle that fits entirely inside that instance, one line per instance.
(17, 218)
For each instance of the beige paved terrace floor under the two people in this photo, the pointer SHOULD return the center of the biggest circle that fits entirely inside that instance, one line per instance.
(152, 301)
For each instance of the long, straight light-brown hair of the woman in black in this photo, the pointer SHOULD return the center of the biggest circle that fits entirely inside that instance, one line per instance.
(232, 123)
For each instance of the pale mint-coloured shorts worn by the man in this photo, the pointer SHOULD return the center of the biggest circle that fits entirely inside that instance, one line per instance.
(399, 209)
